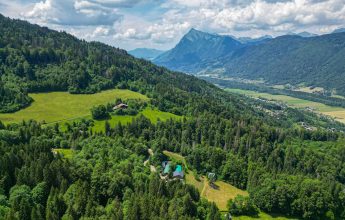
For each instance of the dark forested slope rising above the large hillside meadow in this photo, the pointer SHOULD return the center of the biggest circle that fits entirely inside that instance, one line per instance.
(37, 59)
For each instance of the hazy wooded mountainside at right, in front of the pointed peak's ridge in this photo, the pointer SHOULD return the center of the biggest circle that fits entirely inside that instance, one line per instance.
(314, 61)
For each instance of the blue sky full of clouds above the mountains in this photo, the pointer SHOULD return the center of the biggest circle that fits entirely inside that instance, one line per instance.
(160, 24)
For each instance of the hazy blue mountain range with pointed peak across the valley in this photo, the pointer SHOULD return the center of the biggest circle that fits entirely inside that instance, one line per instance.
(309, 60)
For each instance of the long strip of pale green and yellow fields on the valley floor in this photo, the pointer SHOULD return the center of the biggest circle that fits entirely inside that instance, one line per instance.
(337, 112)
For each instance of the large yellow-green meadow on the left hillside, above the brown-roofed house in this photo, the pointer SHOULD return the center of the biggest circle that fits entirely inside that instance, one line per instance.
(62, 106)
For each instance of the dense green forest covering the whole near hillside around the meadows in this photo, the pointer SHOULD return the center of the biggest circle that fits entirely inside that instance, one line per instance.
(285, 168)
